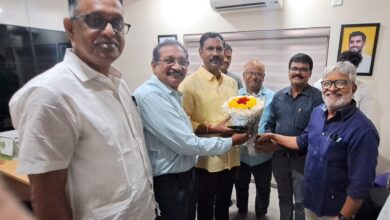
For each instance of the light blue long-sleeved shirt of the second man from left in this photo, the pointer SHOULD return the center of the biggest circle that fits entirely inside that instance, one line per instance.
(170, 140)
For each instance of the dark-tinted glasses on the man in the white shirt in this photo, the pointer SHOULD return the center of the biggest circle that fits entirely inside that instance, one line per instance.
(97, 21)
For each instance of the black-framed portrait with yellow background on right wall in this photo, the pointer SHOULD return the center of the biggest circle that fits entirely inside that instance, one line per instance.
(361, 38)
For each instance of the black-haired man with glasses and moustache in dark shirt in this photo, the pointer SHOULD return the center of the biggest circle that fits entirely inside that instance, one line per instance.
(290, 112)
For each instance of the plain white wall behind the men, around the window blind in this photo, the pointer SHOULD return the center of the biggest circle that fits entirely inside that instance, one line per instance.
(150, 18)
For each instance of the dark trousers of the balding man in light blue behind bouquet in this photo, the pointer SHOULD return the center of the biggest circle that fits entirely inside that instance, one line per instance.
(262, 174)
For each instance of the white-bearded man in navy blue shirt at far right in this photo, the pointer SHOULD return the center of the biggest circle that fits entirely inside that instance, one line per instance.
(342, 145)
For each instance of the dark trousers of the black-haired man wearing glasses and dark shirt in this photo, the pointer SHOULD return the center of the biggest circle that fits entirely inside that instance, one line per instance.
(286, 168)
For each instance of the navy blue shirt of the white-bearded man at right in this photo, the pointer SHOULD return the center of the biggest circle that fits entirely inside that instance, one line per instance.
(341, 159)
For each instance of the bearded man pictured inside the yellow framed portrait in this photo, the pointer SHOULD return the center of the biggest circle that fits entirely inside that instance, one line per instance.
(357, 41)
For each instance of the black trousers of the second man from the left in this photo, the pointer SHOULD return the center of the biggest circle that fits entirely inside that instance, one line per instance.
(175, 195)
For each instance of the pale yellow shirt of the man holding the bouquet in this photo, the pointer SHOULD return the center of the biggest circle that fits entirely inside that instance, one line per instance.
(203, 96)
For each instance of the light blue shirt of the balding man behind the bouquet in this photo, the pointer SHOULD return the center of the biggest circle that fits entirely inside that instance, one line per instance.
(267, 95)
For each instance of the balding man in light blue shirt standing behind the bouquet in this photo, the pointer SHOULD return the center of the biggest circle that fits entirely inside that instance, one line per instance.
(260, 163)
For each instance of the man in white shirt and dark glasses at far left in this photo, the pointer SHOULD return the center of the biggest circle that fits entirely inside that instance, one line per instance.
(81, 139)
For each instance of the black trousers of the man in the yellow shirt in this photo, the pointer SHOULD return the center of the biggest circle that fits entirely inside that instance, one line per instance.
(214, 192)
